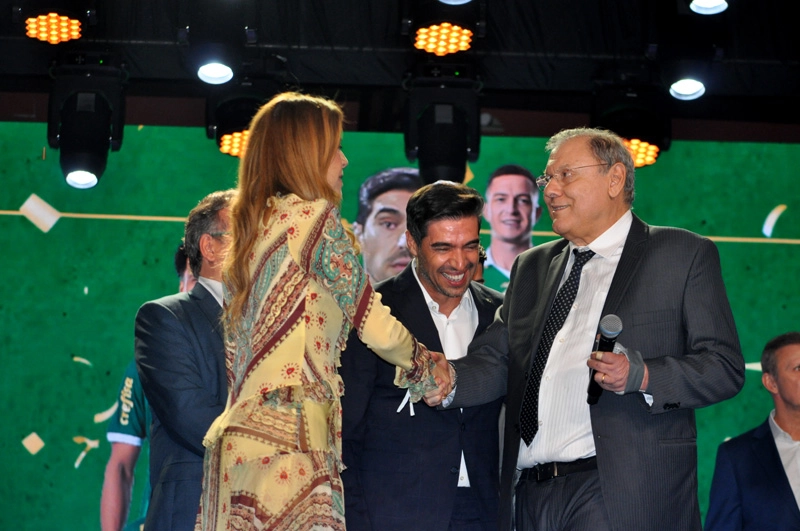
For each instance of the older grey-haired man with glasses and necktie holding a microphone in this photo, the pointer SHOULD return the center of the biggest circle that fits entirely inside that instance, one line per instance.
(629, 461)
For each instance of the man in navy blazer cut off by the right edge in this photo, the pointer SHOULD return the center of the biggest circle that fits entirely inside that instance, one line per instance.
(756, 483)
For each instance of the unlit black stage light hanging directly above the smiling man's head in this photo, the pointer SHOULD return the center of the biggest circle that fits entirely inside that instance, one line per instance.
(442, 129)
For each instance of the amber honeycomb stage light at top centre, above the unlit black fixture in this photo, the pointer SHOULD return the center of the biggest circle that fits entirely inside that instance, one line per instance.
(443, 27)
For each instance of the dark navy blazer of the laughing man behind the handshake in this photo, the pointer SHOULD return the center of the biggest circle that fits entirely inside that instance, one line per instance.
(402, 471)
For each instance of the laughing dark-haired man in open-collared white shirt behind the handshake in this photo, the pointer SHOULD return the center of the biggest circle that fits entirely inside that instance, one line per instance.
(419, 468)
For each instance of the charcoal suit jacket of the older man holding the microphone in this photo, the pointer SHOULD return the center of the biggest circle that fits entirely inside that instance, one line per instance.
(669, 293)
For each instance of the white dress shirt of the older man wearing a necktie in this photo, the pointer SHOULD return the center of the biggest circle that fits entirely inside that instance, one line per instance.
(565, 427)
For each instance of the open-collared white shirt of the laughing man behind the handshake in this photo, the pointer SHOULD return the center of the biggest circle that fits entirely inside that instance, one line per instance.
(455, 334)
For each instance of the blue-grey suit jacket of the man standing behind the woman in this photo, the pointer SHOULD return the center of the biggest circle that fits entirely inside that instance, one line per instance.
(181, 362)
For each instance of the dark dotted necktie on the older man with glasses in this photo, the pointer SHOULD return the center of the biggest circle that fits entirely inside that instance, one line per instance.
(565, 297)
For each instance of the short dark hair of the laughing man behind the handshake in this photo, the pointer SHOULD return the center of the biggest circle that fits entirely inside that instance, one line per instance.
(440, 200)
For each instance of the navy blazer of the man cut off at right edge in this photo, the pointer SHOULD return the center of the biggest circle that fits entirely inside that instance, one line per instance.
(750, 490)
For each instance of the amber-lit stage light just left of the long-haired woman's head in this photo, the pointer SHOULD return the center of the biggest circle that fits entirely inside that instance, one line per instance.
(228, 120)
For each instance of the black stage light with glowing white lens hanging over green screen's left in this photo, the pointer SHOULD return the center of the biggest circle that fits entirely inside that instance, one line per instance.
(86, 115)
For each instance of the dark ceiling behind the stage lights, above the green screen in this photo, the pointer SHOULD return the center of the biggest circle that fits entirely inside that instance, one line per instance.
(537, 67)
